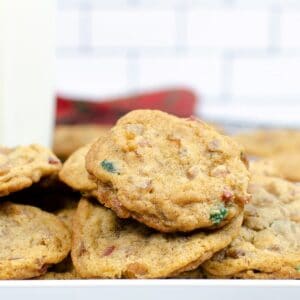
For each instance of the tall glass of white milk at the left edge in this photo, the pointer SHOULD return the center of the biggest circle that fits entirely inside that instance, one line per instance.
(27, 58)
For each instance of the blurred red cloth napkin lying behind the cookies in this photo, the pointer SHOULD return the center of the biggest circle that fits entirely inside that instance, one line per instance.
(180, 102)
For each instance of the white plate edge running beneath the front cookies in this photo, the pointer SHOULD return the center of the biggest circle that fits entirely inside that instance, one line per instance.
(151, 289)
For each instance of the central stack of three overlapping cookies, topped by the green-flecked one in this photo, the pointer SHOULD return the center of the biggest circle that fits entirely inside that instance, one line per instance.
(170, 194)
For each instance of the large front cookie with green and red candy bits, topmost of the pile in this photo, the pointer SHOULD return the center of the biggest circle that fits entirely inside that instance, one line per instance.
(169, 173)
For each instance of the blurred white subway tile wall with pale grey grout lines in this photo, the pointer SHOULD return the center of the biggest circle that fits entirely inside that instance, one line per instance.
(233, 53)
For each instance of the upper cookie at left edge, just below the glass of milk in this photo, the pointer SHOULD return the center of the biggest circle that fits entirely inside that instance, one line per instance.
(22, 166)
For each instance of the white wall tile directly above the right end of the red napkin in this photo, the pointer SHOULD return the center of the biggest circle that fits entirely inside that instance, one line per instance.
(181, 70)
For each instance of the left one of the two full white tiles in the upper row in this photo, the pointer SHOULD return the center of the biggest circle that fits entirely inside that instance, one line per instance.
(133, 28)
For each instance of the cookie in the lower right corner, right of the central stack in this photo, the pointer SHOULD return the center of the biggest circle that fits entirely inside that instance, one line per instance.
(269, 242)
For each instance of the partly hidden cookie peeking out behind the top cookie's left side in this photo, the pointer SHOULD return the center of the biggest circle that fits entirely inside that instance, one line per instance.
(74, 173)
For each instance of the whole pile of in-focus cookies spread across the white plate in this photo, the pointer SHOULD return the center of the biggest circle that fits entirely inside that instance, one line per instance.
(160, 197)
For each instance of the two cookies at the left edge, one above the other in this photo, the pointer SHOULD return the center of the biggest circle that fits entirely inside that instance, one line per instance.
(31, 239)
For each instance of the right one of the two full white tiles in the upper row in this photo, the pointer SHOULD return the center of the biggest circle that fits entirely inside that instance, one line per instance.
(228, 29)
